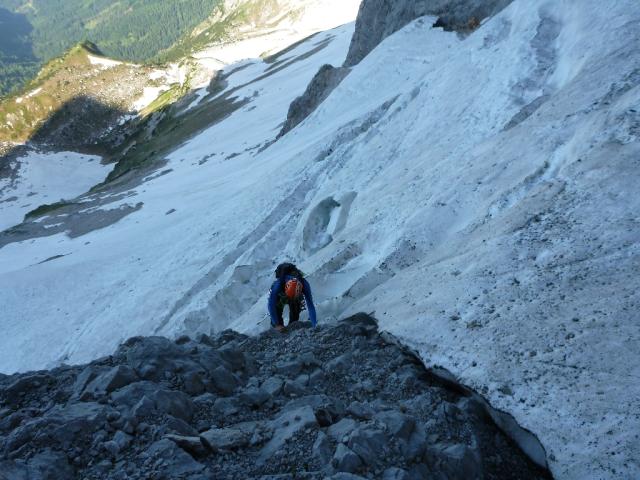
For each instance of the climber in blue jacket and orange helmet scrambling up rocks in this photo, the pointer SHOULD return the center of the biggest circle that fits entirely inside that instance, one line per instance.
(290, 288)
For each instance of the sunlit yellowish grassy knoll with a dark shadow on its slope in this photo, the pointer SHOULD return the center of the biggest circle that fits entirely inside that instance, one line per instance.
(71, 92)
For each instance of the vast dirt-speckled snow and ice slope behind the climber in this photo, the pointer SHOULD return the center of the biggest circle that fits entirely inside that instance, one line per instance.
(478, 193)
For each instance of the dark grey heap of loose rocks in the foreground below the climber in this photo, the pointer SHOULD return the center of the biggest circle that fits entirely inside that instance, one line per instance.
(338, 401)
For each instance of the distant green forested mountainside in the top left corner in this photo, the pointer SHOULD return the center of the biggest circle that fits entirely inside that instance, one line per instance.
(33, 32)
